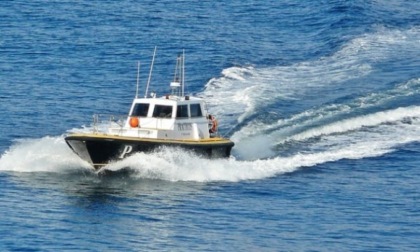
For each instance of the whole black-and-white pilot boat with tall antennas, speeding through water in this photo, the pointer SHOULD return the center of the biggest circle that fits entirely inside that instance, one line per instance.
(172, 120)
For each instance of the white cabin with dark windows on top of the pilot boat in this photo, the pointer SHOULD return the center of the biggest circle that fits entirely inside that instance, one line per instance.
(168, 117)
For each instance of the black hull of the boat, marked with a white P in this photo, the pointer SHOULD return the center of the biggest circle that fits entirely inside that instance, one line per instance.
(101, 150)
